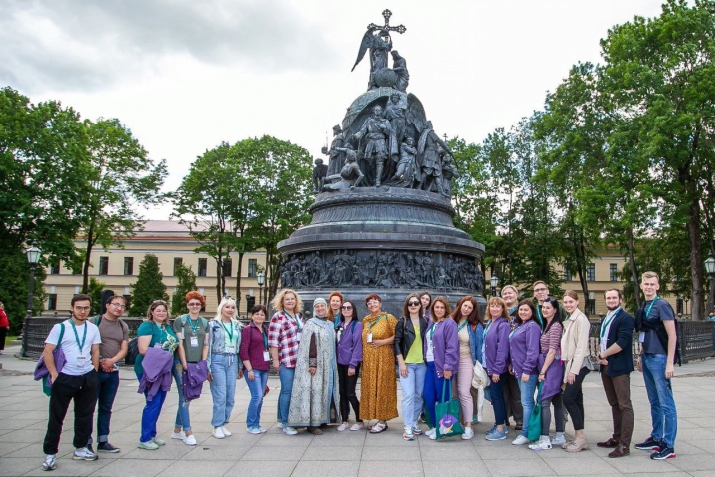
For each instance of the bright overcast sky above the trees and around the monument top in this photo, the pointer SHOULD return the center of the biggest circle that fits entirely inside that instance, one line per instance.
(185, 75)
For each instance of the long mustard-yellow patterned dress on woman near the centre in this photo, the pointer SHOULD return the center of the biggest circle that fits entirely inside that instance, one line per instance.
(378, 391)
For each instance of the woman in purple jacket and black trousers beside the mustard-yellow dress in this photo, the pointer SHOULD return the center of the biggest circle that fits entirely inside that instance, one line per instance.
(348, 336)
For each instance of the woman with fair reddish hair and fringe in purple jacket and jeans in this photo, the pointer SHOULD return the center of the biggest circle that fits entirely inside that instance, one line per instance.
(496, 356)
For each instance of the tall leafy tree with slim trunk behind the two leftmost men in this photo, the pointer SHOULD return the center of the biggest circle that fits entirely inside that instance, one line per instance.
(122, 178)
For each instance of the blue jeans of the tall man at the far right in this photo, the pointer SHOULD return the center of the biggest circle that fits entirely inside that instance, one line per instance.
(660, 395)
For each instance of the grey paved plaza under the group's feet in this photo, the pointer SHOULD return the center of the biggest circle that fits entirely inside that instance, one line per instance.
(23, 418)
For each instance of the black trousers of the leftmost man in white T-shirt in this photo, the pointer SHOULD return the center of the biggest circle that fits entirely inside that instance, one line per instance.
(83, 389)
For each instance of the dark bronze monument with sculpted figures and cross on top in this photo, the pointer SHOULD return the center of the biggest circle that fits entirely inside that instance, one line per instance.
(382, 217)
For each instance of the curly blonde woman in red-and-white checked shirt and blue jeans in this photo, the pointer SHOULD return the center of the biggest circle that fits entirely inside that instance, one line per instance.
(284, 334)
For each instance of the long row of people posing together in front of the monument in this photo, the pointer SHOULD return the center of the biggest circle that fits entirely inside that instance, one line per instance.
(522, 354)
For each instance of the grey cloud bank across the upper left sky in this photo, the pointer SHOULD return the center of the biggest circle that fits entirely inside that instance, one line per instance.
(79, 44)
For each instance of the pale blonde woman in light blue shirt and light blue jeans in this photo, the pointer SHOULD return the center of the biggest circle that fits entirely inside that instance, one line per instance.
(224, 364)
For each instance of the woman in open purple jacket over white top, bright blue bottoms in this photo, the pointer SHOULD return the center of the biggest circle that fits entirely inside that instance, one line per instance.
(442, 355)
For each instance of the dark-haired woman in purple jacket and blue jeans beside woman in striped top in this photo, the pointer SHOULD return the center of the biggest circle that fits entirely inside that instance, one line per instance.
(523, 355)
